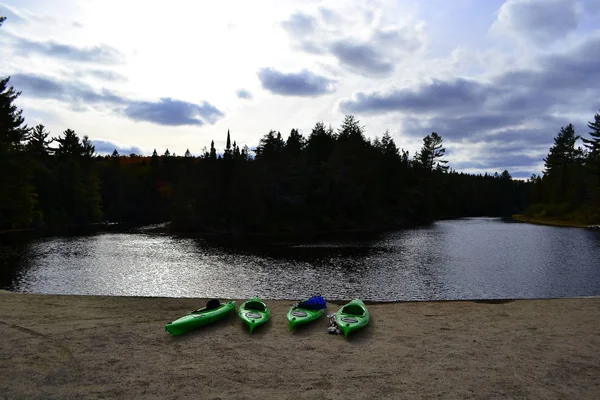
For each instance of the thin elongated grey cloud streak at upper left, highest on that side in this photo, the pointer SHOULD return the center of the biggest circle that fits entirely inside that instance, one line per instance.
(101, 54)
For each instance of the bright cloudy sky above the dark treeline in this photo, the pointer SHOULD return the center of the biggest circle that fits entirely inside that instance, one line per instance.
(497, 79)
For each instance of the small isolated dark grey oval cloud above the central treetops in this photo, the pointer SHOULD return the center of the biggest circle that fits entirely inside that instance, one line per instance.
(303, 83)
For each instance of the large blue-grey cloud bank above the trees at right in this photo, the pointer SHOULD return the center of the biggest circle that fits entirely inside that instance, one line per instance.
(506, 121)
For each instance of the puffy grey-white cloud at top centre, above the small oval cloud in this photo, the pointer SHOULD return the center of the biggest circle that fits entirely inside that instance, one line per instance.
(373, 49)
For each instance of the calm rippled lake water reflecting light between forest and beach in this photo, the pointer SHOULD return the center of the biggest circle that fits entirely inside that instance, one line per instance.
(464, 259)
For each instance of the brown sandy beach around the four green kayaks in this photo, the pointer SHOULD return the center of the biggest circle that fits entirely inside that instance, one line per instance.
(92, 347)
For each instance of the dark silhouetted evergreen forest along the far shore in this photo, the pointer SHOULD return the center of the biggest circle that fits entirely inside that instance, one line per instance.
(331, 180)
